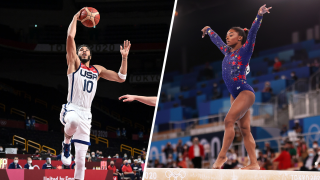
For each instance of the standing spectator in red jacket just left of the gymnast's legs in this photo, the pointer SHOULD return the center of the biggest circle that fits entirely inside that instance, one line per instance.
(196, 153)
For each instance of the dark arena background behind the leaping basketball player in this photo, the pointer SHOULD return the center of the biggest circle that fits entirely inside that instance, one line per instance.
(33, 79)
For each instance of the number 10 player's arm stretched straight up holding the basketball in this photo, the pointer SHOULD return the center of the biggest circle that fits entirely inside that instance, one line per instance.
(71, 45)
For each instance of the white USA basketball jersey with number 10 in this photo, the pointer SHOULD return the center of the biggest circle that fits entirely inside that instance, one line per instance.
(82, 86)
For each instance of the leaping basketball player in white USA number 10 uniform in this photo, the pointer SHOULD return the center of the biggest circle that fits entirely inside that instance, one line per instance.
(82, 79)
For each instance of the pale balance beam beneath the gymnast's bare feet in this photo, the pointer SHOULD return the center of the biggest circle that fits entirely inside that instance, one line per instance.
(226, 174)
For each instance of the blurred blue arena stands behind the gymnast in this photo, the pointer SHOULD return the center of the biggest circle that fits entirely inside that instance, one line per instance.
(190, 106)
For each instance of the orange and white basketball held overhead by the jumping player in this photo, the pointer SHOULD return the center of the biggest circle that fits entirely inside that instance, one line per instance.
(89, 17)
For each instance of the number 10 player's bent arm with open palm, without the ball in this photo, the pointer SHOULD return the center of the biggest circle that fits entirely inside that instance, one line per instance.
(122, 74)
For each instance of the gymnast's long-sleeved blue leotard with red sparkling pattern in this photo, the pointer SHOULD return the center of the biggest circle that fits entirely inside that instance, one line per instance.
(235, 65)
